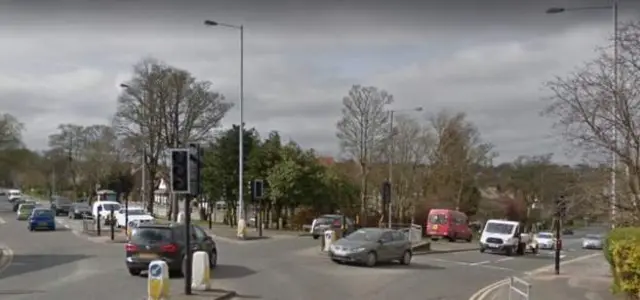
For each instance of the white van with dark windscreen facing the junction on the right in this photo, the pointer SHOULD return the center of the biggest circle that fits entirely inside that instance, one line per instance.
(506, 236)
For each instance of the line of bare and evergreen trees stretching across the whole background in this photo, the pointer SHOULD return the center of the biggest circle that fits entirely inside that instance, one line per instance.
(437, 159)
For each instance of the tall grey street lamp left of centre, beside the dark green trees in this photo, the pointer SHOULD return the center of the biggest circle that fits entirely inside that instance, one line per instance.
(241, 220)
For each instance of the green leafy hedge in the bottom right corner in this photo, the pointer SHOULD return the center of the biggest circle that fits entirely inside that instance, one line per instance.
(622, 250)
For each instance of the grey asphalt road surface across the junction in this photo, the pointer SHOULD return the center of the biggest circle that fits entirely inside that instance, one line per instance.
(67, 265)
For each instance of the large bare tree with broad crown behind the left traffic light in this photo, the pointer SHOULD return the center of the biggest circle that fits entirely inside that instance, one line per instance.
(167, 107)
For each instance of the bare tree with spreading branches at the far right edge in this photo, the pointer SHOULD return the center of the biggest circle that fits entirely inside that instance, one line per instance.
(599, 116)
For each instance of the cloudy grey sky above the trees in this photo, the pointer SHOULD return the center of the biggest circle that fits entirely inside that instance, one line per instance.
(62, 61)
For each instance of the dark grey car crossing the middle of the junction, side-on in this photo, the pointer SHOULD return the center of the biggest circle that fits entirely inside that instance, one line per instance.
(372, 245)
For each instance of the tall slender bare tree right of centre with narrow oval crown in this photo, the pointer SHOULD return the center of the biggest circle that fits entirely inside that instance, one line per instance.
(363, 130)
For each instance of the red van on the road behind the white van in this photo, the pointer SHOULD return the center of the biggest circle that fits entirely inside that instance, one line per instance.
(450, 224)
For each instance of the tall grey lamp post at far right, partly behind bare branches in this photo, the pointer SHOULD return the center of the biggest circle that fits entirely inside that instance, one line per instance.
(614, 158)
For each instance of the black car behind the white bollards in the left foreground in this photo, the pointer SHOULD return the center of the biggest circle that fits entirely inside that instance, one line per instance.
(151, 242)
